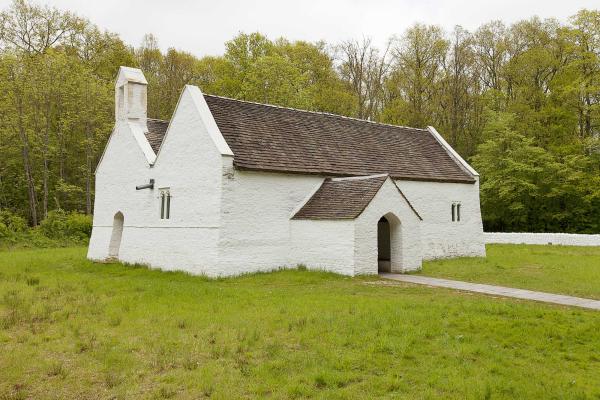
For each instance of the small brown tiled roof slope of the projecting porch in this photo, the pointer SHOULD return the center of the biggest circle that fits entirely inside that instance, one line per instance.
(341, 198)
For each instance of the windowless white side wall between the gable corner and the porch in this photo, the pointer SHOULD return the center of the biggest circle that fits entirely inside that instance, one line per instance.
(255, 232)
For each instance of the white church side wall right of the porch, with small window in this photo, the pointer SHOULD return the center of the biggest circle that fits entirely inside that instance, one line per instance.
(440, 237)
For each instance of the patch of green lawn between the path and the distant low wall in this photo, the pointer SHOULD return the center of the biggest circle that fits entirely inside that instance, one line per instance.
(556, 269)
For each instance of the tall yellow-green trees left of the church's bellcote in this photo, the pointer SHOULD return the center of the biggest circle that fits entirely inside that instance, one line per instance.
(56, 107)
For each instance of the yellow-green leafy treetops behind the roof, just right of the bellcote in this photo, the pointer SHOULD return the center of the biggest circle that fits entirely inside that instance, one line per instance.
(253, 68)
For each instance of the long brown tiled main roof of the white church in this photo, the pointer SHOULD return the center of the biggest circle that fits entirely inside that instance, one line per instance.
(271, 138)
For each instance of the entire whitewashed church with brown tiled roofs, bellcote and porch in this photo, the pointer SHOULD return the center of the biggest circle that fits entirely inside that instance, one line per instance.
(229, 187)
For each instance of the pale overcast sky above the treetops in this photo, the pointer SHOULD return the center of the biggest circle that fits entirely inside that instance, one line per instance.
(201, 27)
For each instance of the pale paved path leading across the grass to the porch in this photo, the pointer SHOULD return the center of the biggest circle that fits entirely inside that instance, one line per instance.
(496, 290)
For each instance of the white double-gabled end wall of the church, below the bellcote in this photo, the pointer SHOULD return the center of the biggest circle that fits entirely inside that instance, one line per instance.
(190, 164)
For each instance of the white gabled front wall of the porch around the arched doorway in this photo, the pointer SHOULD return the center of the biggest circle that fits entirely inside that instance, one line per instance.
(405, 231)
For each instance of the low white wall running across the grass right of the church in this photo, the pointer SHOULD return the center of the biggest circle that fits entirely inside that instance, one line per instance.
(565, 239)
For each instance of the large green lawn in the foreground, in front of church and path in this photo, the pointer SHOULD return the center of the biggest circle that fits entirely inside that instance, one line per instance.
(71, 329)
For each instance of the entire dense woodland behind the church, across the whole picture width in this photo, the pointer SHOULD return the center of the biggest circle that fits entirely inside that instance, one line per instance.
(520, 102)
